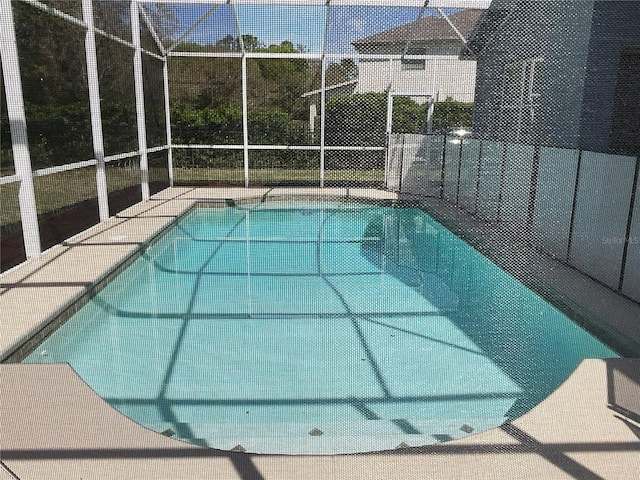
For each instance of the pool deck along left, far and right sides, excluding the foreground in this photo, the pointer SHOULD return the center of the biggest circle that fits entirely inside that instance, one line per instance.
(590, 304)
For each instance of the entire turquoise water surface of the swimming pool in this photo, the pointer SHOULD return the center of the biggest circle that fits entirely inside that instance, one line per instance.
(318, 328)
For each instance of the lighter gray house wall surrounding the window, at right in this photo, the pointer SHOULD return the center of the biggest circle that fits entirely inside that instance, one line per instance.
(559, 32)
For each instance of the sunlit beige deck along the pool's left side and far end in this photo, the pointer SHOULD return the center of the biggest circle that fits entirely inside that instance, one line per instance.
(125, 237)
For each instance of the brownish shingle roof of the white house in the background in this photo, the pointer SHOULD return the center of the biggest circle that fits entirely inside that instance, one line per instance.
(426, 29)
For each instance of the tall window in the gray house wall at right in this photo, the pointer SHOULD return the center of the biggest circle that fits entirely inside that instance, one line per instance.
(521, 99)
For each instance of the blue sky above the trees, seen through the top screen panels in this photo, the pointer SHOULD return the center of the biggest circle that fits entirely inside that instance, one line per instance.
(300, 24)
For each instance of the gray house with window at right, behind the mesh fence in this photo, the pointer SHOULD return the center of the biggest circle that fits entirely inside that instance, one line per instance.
(559, 73)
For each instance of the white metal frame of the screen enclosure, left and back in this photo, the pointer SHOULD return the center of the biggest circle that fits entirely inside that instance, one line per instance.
(24, 172)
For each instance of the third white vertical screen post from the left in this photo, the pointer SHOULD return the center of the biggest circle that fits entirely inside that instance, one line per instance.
(139, 85)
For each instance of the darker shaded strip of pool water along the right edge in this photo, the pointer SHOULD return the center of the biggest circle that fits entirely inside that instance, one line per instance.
(529, 339)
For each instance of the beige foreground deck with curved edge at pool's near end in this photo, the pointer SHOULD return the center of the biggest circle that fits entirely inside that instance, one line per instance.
(56, 427)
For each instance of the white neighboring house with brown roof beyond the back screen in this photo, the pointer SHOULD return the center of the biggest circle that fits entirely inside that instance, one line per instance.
(437, 71)
